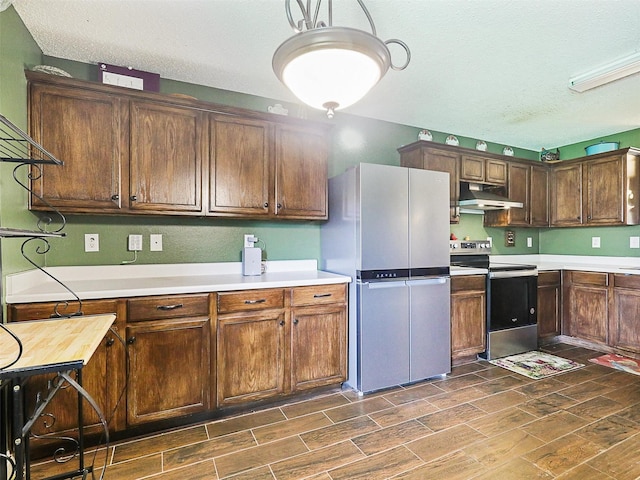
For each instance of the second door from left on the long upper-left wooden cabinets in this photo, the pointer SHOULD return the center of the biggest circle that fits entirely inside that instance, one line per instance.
(167, 148)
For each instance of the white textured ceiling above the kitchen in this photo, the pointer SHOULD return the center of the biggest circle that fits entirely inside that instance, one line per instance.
(495, 70)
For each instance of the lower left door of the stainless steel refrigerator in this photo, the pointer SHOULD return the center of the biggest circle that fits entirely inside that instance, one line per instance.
(383, 335)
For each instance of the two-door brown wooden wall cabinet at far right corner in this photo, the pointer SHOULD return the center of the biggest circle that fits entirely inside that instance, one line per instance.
(597, 190)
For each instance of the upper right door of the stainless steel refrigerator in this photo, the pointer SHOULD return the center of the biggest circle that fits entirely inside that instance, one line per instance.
(429, 218)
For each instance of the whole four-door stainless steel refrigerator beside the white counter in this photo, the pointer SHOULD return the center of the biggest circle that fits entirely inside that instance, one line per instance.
(388, 229)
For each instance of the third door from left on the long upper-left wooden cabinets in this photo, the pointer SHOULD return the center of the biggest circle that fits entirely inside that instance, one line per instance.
(240, 181)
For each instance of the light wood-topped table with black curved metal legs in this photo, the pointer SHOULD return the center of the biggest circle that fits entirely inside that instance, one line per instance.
(60, 346)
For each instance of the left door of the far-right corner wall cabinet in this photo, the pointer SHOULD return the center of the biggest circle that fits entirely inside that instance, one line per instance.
(566, 195)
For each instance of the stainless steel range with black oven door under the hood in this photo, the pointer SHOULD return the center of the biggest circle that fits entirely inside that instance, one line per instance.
(511, 299)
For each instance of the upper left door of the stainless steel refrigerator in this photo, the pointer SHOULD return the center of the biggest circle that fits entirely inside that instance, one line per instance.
(383, 236)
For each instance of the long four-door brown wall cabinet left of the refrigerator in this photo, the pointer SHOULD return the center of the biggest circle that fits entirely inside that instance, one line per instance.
(132, 152)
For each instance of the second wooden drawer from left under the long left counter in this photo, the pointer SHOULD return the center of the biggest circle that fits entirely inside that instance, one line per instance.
(171, 306)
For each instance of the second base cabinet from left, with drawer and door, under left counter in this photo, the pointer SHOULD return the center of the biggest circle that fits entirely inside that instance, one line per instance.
(168, 343)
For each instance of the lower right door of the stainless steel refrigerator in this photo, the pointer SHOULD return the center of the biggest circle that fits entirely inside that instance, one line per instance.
(430, 327)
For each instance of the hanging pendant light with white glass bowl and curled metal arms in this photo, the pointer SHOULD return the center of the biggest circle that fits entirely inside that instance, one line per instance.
(331, 68)
